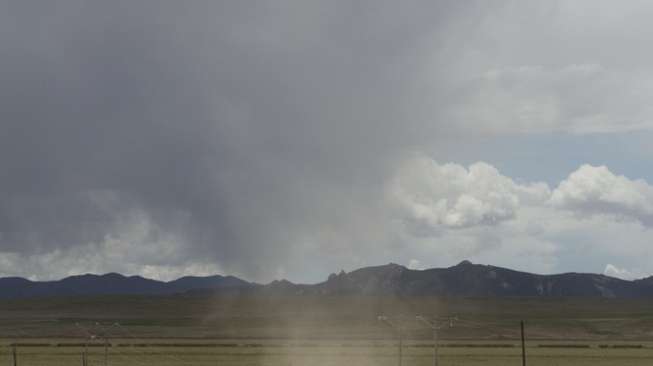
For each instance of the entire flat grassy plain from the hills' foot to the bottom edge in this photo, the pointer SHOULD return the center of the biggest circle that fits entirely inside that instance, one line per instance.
(312, 330)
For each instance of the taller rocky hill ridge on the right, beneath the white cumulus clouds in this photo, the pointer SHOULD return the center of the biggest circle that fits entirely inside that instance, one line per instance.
(467, 279)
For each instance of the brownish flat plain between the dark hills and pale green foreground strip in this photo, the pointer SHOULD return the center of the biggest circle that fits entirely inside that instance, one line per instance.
(210, 316)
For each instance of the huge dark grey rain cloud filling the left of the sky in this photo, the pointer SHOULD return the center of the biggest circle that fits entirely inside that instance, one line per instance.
(250, 131)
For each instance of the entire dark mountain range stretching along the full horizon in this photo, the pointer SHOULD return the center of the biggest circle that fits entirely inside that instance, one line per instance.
(464, 279)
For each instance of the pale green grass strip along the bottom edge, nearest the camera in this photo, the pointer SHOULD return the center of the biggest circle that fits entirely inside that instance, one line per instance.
(328, 354)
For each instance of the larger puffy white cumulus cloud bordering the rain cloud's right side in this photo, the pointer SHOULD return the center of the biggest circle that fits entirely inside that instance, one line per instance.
(434, 195)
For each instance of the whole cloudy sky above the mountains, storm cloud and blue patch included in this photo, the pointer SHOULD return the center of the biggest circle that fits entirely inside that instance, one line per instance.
(292, 139)
